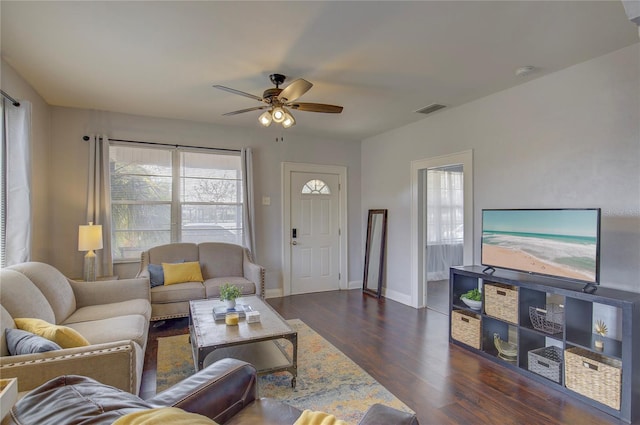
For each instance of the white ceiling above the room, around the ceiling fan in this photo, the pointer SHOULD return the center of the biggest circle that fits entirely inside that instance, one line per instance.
(380, 60)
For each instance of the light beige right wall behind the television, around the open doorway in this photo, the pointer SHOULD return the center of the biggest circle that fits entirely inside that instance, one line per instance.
(569, 139)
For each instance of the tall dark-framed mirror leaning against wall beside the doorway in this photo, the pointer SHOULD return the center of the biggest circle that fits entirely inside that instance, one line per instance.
(374, 253)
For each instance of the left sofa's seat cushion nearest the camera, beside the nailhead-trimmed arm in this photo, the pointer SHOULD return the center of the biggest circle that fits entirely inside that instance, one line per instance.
(133, 327)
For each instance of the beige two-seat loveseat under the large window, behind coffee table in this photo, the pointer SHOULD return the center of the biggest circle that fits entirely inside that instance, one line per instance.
(220, 263)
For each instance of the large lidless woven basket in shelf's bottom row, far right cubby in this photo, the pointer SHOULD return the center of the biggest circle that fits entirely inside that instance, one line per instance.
(593, 375)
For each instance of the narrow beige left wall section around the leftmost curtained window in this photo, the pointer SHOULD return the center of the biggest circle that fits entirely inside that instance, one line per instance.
(16, 87)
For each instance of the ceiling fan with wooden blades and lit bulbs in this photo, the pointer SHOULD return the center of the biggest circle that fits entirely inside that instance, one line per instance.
(277, 101)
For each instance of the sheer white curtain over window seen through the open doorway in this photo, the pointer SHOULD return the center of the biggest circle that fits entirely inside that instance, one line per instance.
(445, 220)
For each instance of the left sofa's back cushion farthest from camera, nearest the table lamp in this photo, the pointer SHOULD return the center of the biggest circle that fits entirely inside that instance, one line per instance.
(53, 284)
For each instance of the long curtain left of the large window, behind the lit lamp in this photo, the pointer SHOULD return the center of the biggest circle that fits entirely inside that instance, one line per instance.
(99, 199)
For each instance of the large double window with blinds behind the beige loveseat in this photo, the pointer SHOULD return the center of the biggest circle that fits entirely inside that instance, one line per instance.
(165, 195)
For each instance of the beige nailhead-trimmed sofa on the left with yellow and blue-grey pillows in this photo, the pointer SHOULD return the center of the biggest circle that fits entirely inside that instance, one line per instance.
(112, 315)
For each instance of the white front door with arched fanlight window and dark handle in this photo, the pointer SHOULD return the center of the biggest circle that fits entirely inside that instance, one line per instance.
(315, 233)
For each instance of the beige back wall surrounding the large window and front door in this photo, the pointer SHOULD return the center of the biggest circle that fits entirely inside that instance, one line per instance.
(68, 176)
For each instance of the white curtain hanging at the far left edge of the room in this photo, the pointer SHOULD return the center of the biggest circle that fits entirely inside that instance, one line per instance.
(16, 184)
